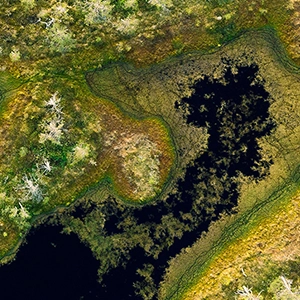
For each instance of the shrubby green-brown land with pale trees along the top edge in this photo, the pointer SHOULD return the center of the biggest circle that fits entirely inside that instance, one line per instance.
(82, 35)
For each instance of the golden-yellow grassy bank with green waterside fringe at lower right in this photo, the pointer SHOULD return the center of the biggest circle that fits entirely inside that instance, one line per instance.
(234, 243)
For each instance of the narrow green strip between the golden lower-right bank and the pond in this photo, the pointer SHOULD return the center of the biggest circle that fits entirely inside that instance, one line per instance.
(231, 228)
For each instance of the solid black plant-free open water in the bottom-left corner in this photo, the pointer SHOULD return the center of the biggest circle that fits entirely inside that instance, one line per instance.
(50, 266)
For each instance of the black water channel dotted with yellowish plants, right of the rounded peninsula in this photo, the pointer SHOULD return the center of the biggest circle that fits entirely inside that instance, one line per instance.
(236, 113)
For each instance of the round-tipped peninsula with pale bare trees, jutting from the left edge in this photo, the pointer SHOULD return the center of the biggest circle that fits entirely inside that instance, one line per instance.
(56, 144)
